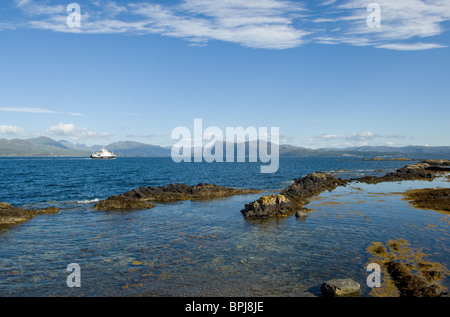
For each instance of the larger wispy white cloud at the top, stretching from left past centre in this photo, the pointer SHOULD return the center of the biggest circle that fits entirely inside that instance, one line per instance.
(251, 23)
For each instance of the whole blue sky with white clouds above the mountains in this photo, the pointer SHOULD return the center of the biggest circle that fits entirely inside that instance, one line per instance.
(135, 70)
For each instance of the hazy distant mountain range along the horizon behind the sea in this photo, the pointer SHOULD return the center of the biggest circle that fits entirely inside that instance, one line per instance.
(47, 147)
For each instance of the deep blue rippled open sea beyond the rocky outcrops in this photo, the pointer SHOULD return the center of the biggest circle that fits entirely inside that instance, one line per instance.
(37, 180)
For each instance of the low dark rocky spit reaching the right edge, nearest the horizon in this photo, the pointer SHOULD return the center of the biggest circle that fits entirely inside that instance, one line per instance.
(425, 170)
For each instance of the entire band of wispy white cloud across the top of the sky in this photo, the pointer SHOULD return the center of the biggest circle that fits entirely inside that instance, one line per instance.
(264, 24)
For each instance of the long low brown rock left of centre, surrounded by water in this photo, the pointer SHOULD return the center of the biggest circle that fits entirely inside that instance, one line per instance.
(140, 198)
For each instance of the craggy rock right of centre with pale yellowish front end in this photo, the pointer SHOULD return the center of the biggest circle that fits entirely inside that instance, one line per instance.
(293, 197)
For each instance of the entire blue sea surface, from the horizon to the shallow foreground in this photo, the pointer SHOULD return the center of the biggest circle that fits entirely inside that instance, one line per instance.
(198, 248)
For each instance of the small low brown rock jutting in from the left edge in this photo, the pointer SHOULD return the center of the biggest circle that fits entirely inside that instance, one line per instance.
(10, 215)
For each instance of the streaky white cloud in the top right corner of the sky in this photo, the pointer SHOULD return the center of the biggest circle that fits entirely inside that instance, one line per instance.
(401, 20)
